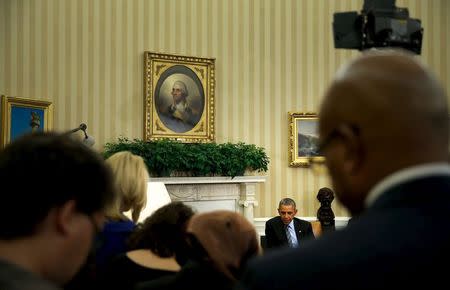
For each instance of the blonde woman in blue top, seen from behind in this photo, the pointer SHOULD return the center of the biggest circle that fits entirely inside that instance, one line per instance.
(131, 178)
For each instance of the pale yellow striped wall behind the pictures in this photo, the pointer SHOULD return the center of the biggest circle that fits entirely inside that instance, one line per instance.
(272, 57)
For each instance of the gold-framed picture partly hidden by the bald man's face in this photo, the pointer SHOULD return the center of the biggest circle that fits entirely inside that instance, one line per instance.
(303, 138)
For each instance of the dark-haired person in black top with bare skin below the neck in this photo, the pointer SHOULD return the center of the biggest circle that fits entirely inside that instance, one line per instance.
(153, 246)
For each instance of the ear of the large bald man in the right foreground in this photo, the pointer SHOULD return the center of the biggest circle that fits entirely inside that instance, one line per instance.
(353, 148)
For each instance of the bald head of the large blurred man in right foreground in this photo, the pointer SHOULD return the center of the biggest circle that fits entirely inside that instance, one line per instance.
(383, 112)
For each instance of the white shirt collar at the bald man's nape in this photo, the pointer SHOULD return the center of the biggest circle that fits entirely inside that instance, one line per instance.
(404, 175)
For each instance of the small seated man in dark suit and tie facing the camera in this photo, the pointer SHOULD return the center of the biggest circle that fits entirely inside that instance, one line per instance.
(286, 229)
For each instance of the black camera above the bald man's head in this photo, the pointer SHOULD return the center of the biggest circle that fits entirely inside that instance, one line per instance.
(380, 24)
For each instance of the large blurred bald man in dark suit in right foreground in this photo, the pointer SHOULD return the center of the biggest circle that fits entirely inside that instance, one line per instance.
(384, 133)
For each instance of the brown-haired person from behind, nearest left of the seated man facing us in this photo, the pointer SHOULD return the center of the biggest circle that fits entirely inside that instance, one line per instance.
(219, 244)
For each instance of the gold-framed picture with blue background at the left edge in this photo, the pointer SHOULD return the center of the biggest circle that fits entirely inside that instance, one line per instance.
(21, 115)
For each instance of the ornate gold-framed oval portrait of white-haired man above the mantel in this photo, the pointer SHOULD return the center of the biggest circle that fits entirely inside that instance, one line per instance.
(179, 97)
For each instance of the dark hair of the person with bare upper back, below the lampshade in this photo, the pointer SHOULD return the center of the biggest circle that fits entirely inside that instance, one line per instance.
(163, 232)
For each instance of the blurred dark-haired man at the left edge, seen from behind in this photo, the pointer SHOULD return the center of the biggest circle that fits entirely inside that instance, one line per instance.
(52, 209)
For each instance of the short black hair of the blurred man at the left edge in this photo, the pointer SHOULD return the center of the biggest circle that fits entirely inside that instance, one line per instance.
(45, 170)
